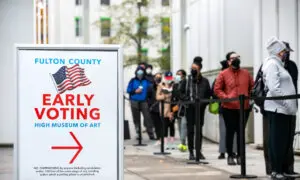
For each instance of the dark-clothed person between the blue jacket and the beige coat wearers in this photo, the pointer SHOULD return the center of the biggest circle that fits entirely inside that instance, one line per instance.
(154, 108)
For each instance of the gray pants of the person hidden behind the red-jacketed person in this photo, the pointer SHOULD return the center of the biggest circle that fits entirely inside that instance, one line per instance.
(222, 129)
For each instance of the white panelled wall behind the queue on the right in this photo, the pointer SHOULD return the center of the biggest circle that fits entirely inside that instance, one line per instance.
(211, 28)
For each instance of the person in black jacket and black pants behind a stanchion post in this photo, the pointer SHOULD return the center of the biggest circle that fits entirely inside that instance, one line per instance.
(197, 87)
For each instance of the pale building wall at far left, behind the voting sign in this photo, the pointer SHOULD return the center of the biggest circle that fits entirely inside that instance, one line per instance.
(16, 26)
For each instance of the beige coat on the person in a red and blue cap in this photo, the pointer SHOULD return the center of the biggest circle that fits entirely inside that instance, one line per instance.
(166, 97)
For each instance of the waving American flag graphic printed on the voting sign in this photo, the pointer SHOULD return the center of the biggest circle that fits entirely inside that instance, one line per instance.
(70, 78)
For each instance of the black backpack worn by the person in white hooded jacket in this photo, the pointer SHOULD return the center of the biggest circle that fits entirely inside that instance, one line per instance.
(259, 88)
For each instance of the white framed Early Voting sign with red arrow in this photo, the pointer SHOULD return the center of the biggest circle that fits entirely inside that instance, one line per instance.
(70, 113)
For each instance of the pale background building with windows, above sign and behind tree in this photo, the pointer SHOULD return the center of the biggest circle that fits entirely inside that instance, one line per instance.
(95, 22)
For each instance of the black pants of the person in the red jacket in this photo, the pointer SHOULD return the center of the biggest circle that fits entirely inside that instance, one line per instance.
(232, 123)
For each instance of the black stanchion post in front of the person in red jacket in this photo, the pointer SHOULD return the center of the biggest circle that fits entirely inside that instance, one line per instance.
(242, 149)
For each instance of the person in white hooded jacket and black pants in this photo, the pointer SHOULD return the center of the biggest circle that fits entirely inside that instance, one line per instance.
(278, 82)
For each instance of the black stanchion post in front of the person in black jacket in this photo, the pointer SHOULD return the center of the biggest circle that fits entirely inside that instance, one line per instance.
(198, 131)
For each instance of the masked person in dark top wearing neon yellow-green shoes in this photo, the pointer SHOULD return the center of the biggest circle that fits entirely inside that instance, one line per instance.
(179, 95)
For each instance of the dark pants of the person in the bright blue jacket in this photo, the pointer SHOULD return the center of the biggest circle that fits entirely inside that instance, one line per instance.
(136, 109)
